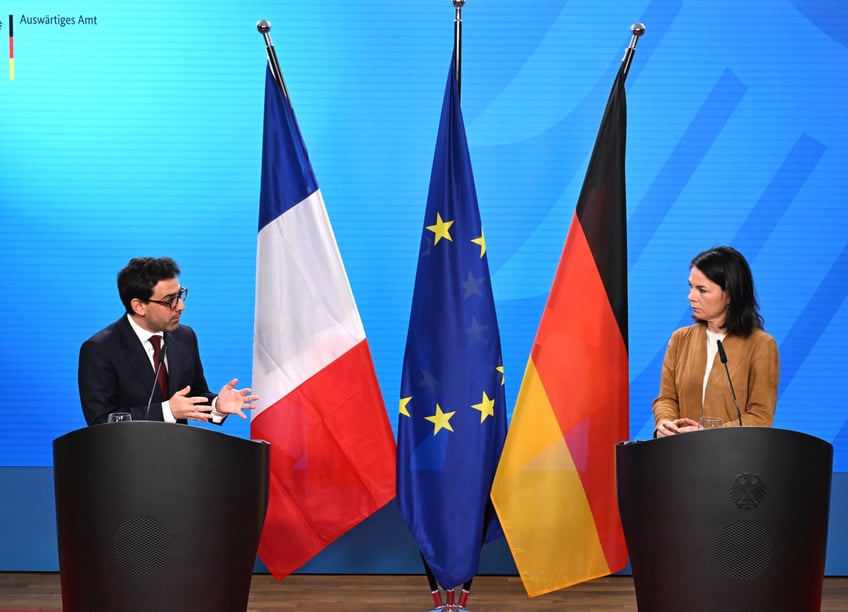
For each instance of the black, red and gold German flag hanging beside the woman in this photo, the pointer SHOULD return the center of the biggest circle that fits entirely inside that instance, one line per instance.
(554, 491)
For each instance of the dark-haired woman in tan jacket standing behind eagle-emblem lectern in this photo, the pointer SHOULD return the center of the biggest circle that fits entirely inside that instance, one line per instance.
(694, 382)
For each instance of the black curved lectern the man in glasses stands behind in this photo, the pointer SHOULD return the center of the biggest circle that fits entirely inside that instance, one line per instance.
(157, 517)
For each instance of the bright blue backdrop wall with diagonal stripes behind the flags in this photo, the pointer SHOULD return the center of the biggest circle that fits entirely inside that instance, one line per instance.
(135, 129)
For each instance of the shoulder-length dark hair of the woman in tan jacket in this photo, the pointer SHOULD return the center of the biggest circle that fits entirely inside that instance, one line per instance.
(727, 268)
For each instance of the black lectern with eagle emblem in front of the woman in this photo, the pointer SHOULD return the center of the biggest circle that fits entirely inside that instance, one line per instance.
(726, 519)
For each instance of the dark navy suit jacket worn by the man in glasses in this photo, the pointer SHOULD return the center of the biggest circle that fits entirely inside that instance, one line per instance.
(115, 374)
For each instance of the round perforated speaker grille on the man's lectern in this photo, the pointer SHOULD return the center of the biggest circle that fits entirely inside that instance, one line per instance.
(141, 545)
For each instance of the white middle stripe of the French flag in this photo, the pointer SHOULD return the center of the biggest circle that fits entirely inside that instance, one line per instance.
(306, 316)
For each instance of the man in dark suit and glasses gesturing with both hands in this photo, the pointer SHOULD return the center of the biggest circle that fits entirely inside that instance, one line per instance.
(117, 369)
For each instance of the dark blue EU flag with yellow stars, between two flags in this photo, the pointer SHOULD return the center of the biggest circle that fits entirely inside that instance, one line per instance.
(452, 421)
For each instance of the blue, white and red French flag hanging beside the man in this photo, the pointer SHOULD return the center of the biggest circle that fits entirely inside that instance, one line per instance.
(321, 409)
